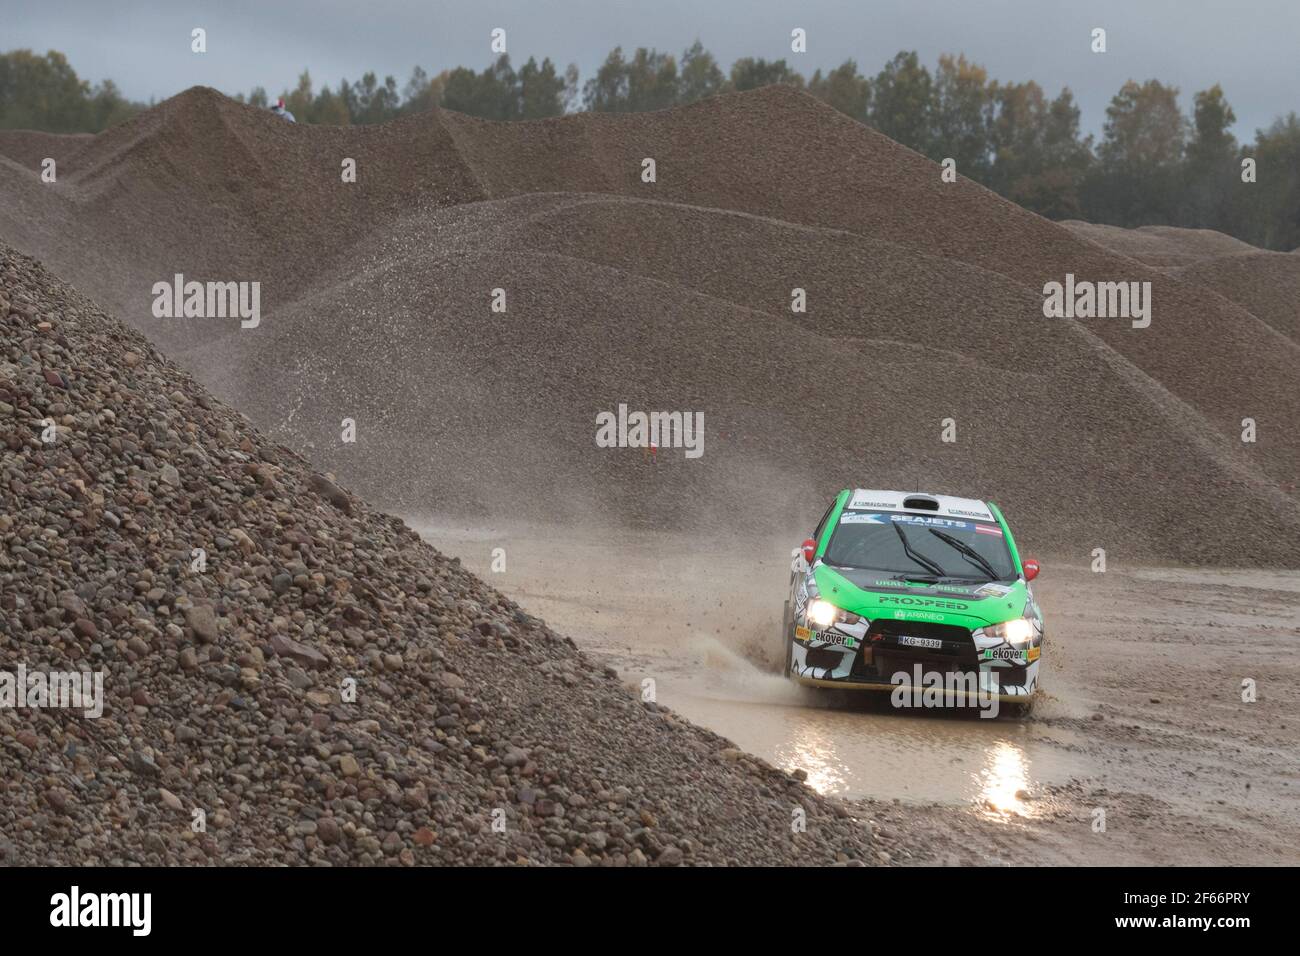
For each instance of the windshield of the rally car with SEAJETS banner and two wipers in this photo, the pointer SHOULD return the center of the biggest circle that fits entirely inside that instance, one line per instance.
(928, 547)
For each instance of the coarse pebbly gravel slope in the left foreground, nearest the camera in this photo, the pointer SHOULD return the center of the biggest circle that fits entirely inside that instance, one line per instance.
(476, 734)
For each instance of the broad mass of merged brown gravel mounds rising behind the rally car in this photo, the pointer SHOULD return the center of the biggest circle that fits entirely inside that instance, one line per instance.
(924, 305)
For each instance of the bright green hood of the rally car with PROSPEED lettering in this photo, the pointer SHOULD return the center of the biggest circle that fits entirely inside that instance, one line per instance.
(874, 595)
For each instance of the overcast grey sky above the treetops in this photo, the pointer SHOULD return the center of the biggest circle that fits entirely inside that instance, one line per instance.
(1251, 47)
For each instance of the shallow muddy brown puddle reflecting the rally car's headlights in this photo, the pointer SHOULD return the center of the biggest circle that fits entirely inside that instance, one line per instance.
(691, 621)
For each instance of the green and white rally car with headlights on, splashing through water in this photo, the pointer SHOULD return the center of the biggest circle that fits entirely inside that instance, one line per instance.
(896, 583)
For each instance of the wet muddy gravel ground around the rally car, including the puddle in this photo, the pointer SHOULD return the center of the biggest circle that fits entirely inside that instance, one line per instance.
(1141, 751)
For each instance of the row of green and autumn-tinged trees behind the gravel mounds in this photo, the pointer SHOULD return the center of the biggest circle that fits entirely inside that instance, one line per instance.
(1152, 165)
